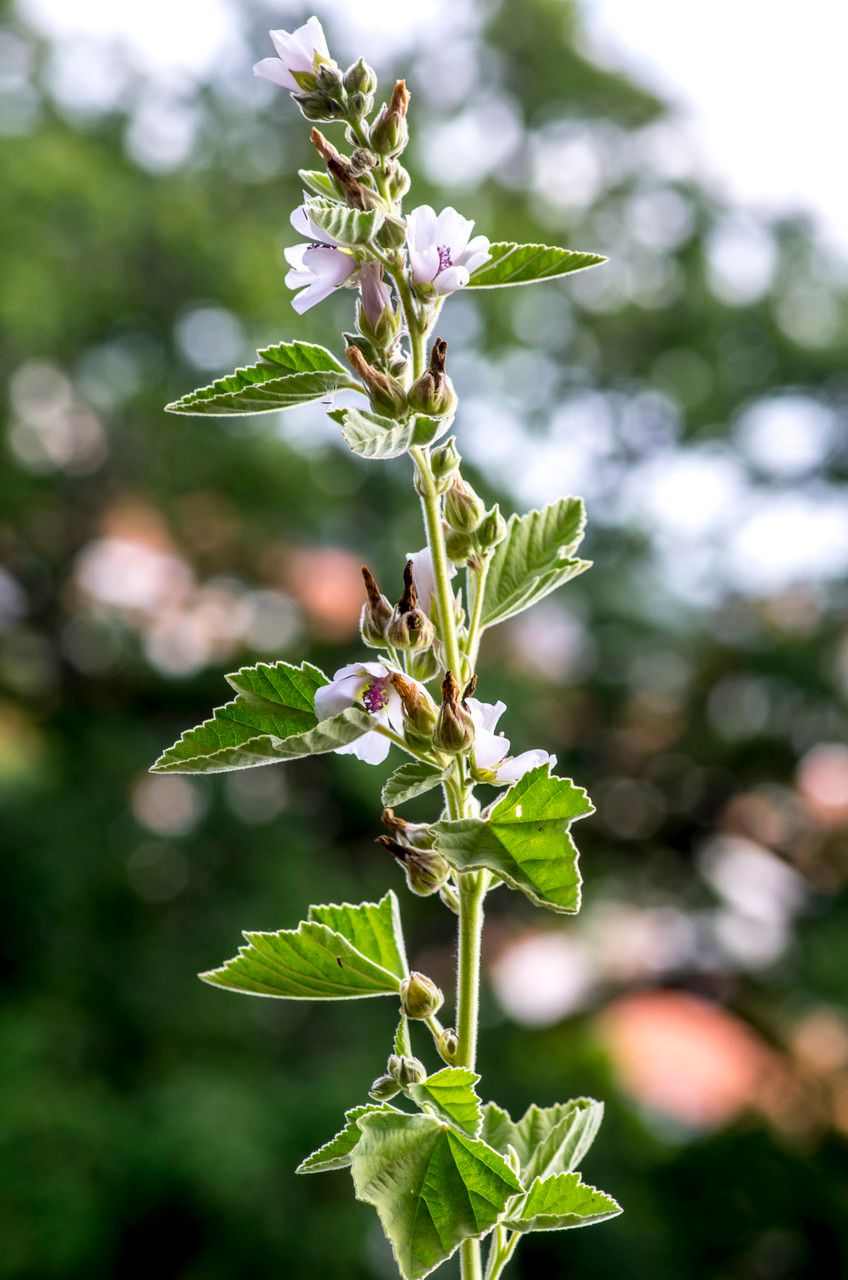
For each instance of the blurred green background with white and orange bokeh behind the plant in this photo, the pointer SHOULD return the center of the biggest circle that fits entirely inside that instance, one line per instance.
(694, 391)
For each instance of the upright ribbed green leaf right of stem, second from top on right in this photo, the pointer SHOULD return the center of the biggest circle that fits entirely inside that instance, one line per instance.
(535, 559)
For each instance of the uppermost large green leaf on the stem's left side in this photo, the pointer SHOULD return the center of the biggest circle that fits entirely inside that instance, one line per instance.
(289, 374)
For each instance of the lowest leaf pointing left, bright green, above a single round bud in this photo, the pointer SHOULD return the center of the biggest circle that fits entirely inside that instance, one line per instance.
(363, 957)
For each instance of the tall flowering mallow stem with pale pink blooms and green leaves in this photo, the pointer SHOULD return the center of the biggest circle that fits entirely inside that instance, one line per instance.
(443, 1169)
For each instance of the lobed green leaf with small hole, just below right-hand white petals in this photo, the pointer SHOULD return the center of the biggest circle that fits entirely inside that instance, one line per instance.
(525, 840)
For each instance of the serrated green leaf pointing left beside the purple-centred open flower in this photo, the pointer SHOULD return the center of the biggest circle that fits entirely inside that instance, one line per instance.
(272, 719)
